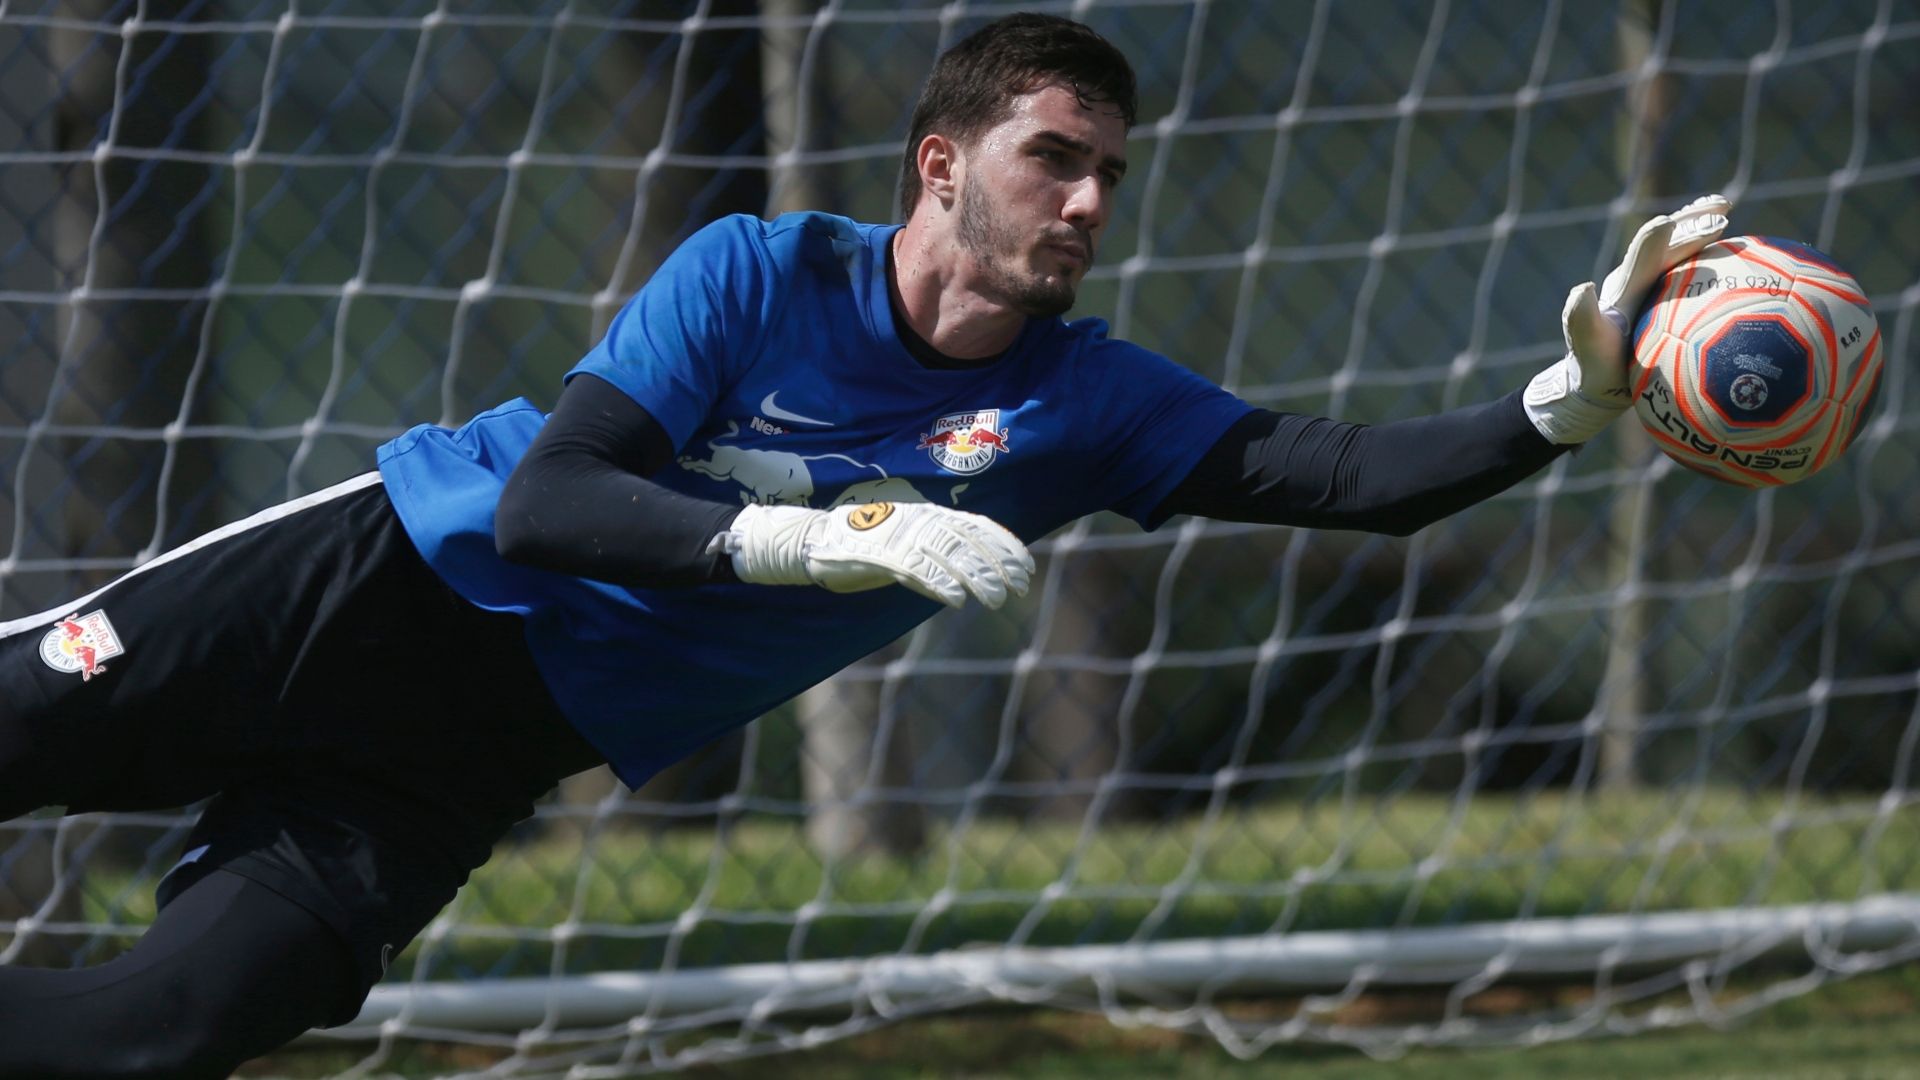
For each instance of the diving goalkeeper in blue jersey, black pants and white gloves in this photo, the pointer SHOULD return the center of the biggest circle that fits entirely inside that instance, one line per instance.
(802, 439)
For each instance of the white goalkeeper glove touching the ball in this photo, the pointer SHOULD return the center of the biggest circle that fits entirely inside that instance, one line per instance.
(1591, 385)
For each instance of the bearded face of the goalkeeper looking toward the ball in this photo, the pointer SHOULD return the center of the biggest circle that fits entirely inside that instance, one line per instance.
(1034, 197)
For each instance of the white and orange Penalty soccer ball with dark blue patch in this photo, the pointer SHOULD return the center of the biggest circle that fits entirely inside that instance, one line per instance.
(1756, 362)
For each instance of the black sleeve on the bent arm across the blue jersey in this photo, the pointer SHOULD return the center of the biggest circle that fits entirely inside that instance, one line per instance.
(581, 503)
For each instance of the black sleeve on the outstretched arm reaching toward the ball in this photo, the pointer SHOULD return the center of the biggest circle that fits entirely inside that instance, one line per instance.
(1397, 478)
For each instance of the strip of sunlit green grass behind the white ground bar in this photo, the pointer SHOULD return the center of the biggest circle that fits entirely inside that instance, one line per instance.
(1291, 868)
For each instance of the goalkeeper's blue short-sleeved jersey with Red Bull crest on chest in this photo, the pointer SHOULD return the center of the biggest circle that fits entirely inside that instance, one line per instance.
(769, 355)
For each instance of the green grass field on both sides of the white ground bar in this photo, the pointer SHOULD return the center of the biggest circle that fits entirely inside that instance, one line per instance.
(1545, 856)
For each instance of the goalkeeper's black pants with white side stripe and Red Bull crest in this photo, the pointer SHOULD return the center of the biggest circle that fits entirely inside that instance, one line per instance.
(364, 735)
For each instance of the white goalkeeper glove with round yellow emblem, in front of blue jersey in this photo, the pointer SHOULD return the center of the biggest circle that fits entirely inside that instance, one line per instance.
(942, 554)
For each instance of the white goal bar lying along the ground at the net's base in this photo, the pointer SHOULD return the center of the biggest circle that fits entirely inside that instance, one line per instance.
(1679, 948)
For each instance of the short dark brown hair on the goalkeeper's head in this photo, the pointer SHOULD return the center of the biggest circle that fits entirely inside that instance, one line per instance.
(974, 84)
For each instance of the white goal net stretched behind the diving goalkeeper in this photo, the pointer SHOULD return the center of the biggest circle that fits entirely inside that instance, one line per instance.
(1616, 750)
